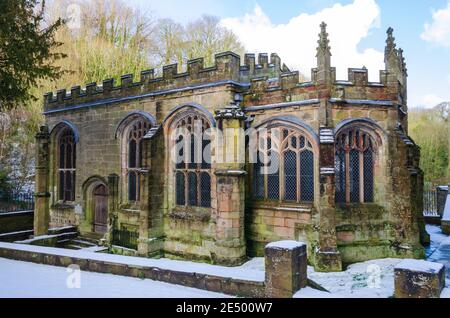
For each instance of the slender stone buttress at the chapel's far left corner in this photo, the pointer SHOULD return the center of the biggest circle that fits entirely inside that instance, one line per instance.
(42, 207)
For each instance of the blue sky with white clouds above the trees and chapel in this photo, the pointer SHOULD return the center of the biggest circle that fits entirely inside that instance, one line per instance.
(357, 33)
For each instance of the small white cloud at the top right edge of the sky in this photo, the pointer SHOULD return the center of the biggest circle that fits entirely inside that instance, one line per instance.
(438, 31)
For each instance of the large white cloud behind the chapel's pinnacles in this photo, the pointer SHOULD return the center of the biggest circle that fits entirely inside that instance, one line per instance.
(296, 41)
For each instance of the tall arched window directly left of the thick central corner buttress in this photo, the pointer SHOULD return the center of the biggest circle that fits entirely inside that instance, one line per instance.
(193, 161)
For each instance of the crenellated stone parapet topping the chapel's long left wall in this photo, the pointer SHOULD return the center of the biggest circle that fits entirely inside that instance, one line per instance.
(227, 67)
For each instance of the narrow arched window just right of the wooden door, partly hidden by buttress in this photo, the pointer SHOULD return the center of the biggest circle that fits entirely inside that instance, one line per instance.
(134, 142)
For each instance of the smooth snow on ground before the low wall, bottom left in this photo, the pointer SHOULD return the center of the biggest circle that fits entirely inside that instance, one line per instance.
(22, 279)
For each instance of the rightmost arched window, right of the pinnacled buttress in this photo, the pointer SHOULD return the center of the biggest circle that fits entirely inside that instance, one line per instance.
(355, 153)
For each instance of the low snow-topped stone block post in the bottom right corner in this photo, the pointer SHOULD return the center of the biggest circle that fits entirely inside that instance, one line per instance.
(419, 279)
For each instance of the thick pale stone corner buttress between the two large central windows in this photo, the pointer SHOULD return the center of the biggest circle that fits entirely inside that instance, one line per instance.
(230, 247)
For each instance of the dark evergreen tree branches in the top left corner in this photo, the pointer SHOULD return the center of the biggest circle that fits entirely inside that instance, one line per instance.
(26, 50)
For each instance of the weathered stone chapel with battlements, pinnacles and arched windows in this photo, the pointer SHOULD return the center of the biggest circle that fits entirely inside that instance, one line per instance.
(368, 208)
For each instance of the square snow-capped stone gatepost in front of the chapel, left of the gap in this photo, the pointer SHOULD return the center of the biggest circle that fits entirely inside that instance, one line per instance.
(286, 268)
